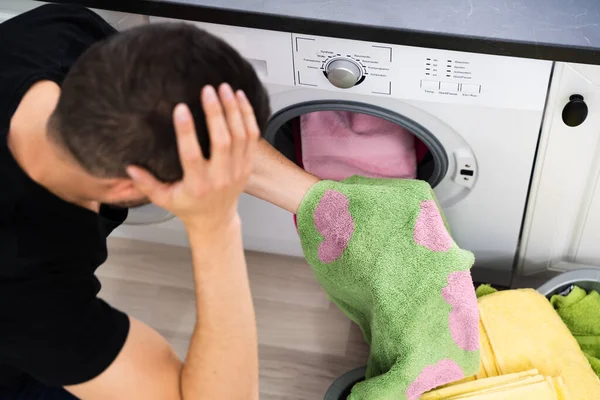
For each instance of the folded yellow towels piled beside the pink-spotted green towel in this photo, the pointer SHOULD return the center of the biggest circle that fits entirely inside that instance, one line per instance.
(527, 352)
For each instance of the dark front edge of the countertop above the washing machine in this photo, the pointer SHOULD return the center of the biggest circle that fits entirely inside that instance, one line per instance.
(471, 44)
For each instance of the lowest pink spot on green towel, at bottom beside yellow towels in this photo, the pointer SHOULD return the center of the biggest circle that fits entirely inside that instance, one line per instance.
(432, 376)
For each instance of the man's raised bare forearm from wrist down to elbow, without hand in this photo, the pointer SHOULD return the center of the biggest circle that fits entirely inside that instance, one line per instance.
(224, 343)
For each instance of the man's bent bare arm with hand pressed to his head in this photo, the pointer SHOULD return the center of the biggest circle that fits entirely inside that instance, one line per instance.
(224, 339)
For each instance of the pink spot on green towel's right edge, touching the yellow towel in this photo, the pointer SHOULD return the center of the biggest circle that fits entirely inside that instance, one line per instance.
(464, 317)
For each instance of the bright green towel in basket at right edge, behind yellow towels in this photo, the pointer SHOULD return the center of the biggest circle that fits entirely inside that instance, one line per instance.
(580, 311)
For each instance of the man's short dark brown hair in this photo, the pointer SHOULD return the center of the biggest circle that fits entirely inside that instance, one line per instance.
(117, 101)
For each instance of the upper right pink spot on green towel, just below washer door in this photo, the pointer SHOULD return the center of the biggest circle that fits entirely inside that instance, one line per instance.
(430, 230)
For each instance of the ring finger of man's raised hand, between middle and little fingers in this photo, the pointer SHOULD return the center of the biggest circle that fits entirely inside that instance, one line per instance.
(236, 124)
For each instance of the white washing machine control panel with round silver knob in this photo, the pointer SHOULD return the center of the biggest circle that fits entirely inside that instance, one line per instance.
(379, 69)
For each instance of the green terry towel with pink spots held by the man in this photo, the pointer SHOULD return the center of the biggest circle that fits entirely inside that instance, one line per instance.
(382, 251)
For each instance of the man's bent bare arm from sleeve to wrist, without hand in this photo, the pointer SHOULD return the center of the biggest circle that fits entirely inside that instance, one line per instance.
(223, 342)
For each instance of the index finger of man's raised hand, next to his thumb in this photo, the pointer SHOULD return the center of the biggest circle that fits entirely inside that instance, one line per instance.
(188, 146)
